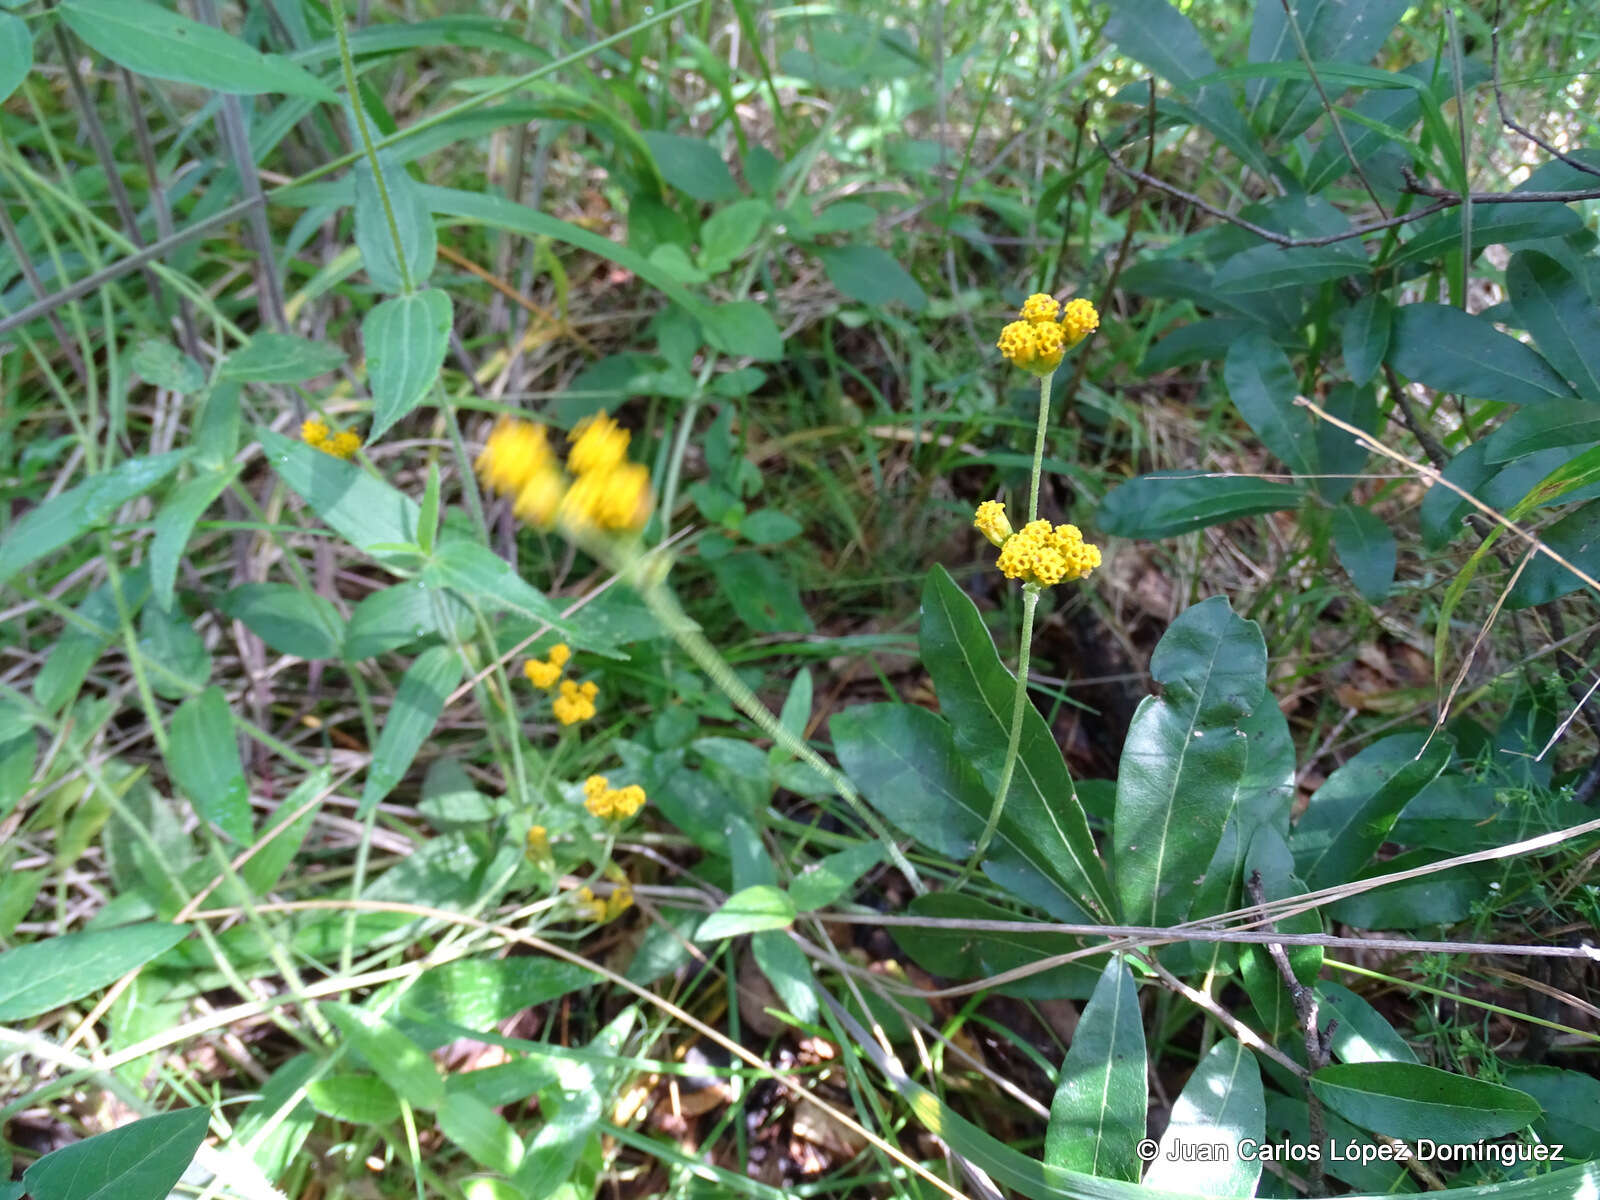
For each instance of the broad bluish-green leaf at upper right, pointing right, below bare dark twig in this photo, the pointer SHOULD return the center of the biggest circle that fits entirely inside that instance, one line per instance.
(1452, 351)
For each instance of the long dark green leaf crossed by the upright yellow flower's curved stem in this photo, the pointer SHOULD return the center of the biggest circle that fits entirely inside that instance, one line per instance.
(1042, 810)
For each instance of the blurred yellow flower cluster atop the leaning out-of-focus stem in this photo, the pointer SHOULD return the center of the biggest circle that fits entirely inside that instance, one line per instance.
(606, 490)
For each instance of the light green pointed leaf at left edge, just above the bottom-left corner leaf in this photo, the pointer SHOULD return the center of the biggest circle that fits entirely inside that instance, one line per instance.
(65, 969)
